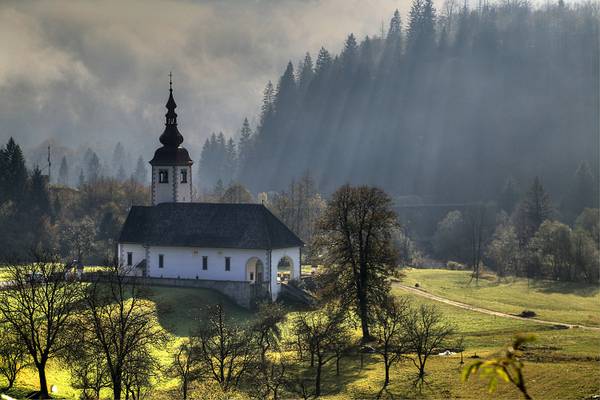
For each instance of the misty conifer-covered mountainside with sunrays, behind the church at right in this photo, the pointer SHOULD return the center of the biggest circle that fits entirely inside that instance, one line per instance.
(447, 104)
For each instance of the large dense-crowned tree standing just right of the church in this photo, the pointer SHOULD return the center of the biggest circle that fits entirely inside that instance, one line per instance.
(355, 240)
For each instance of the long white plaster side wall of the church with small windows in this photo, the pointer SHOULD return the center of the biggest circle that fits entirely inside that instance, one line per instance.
(186, 263)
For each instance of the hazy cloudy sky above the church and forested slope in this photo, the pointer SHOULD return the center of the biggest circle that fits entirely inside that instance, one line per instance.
(92, 73)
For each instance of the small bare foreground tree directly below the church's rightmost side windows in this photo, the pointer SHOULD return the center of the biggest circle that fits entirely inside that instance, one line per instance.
(225, 350)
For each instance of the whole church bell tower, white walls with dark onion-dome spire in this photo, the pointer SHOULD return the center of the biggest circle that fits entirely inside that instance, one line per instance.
(171, 165)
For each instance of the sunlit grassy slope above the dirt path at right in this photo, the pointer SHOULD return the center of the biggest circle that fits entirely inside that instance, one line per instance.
(568, 302)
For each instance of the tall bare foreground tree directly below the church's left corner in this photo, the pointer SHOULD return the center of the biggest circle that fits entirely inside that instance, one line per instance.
(121, 325)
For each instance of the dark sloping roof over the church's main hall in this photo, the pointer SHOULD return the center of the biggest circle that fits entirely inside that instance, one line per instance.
(241, 226)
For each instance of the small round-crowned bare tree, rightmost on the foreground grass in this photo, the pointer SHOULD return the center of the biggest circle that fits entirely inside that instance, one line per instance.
(426, 332)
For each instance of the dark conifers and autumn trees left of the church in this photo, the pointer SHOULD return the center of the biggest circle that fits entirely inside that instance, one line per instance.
(77, 224)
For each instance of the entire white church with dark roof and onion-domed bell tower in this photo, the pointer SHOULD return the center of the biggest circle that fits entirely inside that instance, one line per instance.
(237, 249)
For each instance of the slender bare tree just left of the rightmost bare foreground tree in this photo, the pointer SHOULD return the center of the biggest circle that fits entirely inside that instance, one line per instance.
(389, 330)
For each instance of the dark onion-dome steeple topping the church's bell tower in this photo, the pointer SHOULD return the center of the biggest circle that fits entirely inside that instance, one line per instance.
(171, 153)
